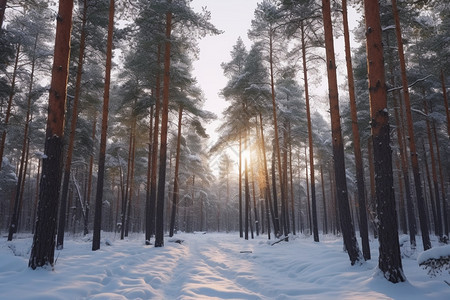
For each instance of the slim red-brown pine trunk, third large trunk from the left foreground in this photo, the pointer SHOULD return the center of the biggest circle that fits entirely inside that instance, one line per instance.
(102, 153)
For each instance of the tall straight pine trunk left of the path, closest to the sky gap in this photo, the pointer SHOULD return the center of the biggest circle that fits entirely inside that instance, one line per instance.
(159, 228)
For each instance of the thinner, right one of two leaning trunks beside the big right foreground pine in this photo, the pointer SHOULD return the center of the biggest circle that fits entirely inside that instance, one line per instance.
(363, 228)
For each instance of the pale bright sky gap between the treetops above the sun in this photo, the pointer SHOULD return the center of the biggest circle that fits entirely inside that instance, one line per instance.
(234, 18)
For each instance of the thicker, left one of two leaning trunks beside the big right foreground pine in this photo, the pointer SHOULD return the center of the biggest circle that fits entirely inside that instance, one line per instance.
(347, 228)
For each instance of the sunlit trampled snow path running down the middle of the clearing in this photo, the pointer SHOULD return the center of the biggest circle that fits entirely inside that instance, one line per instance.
(214, 268)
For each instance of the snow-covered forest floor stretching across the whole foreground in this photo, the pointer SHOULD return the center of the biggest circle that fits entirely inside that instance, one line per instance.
(209, 266)
